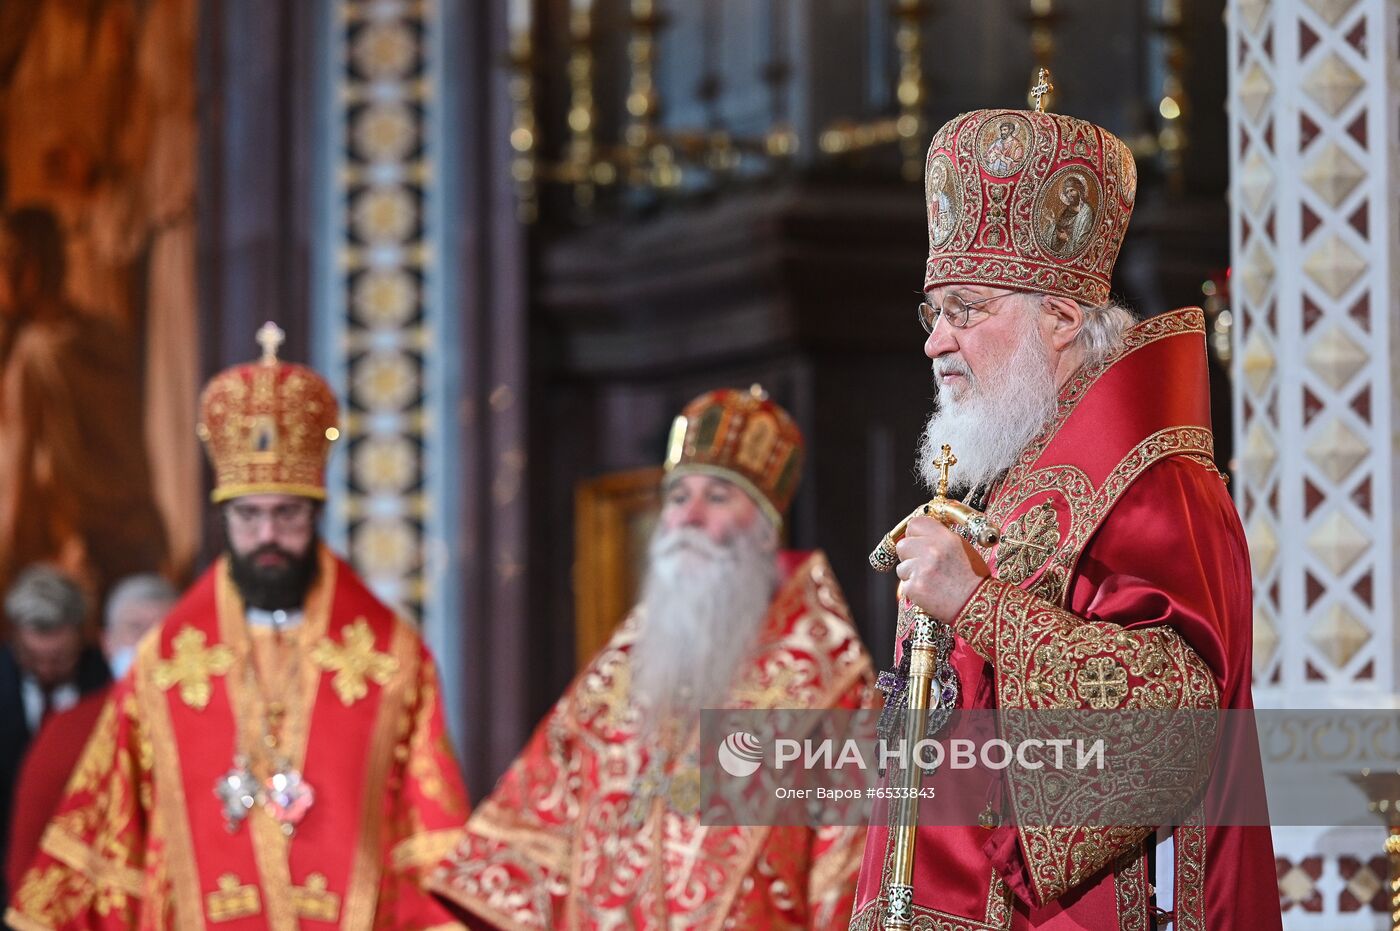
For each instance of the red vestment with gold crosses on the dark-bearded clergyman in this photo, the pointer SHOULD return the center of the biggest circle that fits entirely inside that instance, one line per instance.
(141, 839)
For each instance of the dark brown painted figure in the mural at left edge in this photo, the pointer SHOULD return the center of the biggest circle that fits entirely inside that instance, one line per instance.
(75, 486)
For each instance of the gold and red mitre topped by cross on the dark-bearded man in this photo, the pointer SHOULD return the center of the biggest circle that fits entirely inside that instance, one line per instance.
(268, 426)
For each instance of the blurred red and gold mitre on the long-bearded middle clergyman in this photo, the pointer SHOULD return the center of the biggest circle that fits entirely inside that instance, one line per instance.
(743, 437)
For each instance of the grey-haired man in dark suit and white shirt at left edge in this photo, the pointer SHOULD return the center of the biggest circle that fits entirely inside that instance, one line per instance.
(44, 668)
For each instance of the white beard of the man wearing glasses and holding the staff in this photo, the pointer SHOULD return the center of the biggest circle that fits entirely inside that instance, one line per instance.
(993, 419)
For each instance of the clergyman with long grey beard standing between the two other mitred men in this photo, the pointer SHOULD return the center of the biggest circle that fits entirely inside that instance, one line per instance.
(597, 825)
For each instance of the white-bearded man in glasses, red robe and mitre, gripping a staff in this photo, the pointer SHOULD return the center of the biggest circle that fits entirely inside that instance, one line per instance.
(1122, 580)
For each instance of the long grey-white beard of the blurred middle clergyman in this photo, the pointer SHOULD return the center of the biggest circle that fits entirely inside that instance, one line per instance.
(703, 605)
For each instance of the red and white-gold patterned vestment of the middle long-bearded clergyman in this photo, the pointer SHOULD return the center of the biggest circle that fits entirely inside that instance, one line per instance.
(594, 828)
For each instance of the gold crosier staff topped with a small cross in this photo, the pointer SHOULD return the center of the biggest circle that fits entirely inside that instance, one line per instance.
(974, 527)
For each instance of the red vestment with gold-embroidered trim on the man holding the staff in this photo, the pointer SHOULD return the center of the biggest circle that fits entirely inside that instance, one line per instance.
(1122, 582)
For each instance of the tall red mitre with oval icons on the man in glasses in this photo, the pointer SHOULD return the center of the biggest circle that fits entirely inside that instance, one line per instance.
(1028, 201)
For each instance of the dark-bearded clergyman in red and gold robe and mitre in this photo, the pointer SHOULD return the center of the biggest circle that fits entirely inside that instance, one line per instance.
(276, 757)
